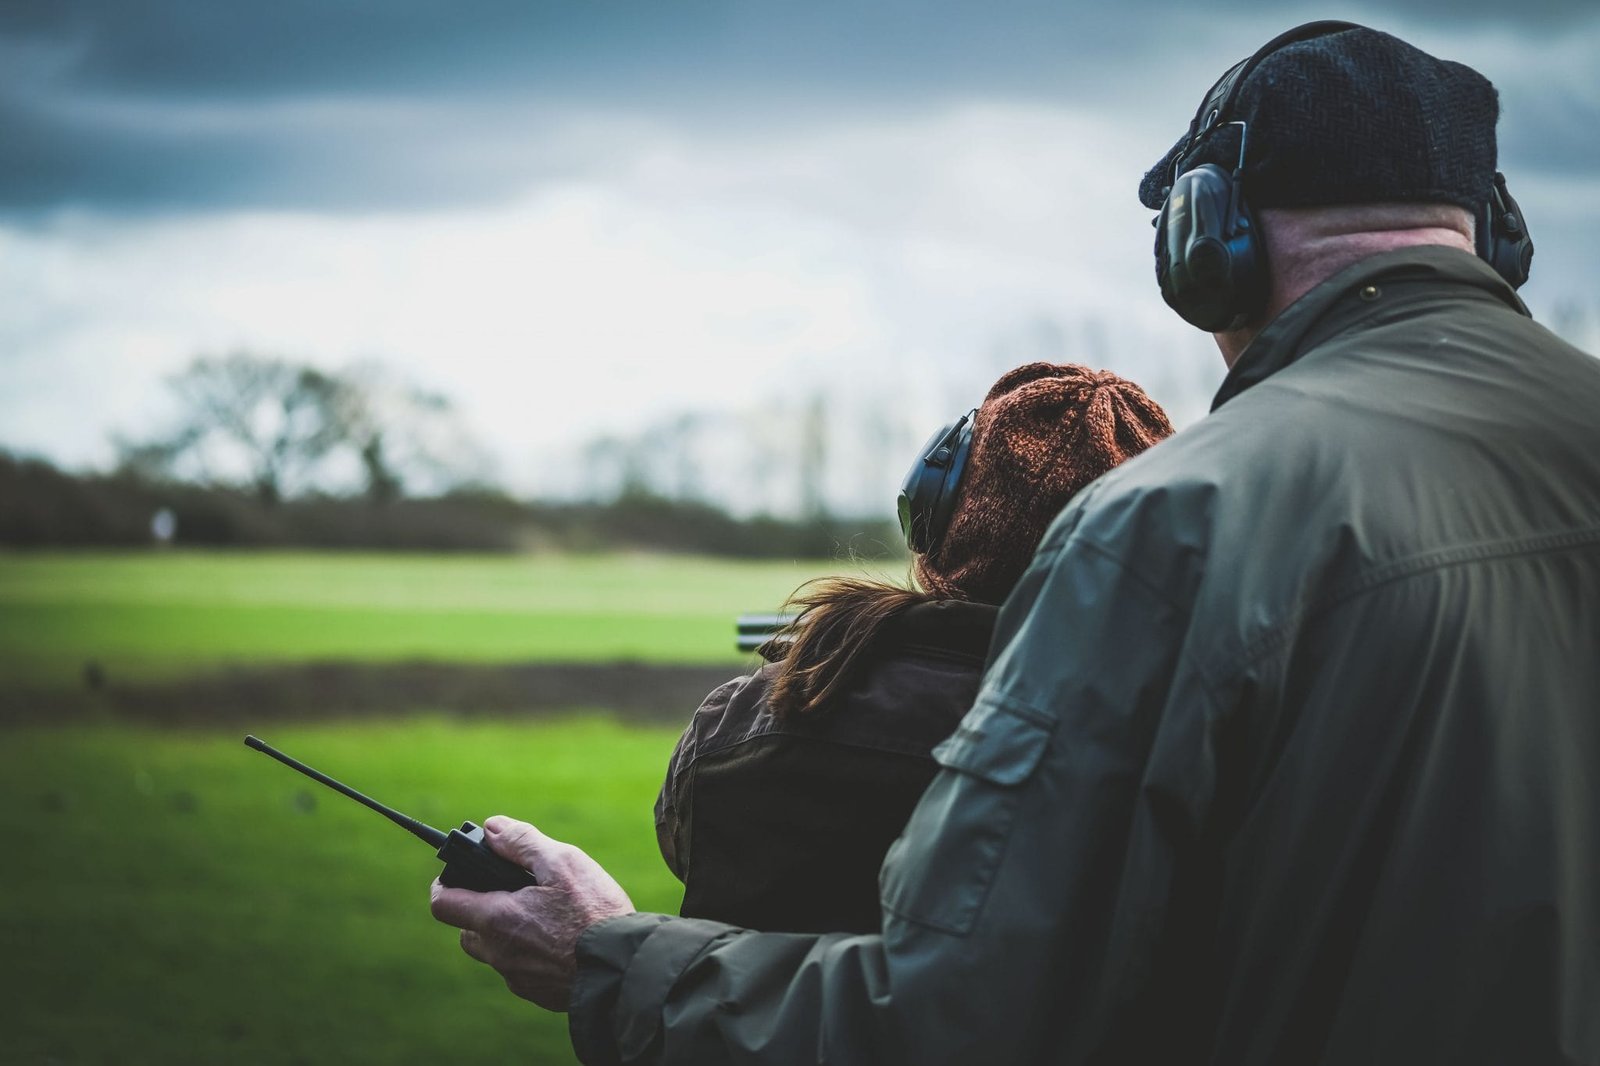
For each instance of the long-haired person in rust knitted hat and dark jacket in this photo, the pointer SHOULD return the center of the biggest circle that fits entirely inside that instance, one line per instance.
(790, 785)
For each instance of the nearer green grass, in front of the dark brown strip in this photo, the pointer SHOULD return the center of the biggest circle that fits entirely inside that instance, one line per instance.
(178, 899)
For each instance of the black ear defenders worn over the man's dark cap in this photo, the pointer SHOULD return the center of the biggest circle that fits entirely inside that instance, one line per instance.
(1209, 255)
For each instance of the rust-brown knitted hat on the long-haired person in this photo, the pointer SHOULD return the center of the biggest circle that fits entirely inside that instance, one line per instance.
(1044, 433)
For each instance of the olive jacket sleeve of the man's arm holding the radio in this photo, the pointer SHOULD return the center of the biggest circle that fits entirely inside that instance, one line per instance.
(1026, 904)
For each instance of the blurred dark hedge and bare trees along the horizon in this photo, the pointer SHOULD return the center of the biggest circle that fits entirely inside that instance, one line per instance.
(258, 441)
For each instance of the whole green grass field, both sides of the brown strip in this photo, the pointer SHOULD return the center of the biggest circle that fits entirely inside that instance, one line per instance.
(172, 897)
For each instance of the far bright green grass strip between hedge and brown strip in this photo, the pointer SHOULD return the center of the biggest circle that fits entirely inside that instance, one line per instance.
(145, 615)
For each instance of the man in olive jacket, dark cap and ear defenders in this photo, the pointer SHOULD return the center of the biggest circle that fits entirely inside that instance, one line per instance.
(1289, 750)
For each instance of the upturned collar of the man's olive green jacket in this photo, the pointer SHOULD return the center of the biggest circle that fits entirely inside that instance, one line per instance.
(1335, 305)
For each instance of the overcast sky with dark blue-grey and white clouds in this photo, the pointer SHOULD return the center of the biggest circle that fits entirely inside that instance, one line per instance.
(577, 218)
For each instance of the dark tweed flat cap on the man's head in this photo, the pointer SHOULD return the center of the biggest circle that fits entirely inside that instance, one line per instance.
(1353, 118)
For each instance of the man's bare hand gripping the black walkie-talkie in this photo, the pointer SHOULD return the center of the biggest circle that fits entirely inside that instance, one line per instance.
(530, 936)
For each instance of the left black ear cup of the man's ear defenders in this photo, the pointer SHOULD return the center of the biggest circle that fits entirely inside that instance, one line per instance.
(1207, 257)
